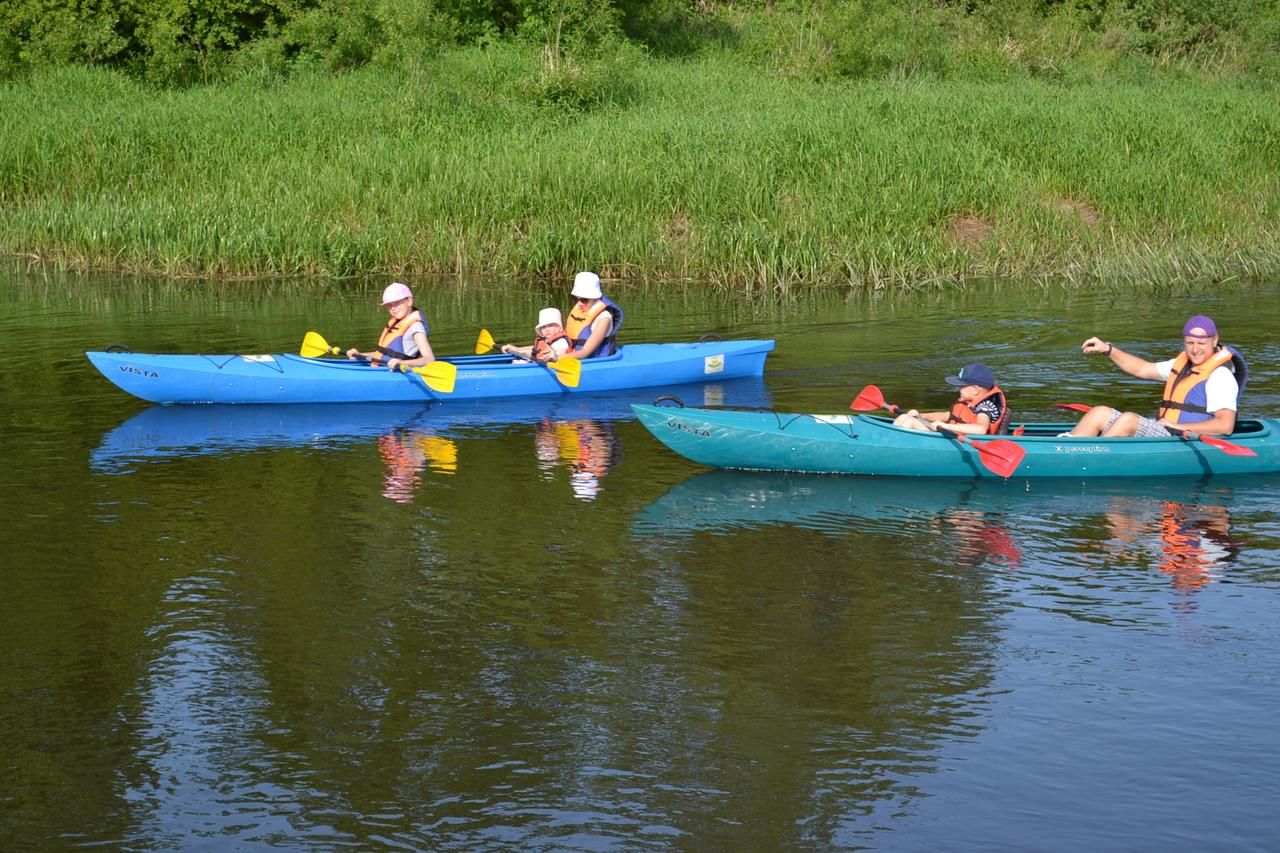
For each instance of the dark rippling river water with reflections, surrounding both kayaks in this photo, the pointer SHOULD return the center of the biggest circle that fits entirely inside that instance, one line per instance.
(531, 627)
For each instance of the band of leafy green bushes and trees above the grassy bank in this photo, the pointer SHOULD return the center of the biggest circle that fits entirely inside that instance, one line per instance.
(177, 43)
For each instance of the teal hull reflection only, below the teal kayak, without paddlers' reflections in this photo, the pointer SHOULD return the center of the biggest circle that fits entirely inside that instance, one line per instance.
(728, 501)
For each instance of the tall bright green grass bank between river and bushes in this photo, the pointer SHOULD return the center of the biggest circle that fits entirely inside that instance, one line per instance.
(703, 168)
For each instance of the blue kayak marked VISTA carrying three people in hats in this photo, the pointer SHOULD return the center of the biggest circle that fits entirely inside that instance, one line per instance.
(300, 380)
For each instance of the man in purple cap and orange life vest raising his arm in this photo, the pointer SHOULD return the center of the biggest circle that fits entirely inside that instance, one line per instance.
(1203, 387)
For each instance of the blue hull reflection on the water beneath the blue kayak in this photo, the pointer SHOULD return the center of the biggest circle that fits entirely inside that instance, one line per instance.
(168, 432)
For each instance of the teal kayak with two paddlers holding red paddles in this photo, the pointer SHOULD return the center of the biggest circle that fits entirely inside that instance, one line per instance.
(871, 446)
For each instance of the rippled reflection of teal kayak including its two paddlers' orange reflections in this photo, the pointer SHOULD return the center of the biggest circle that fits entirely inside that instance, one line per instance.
(1191, 531)
